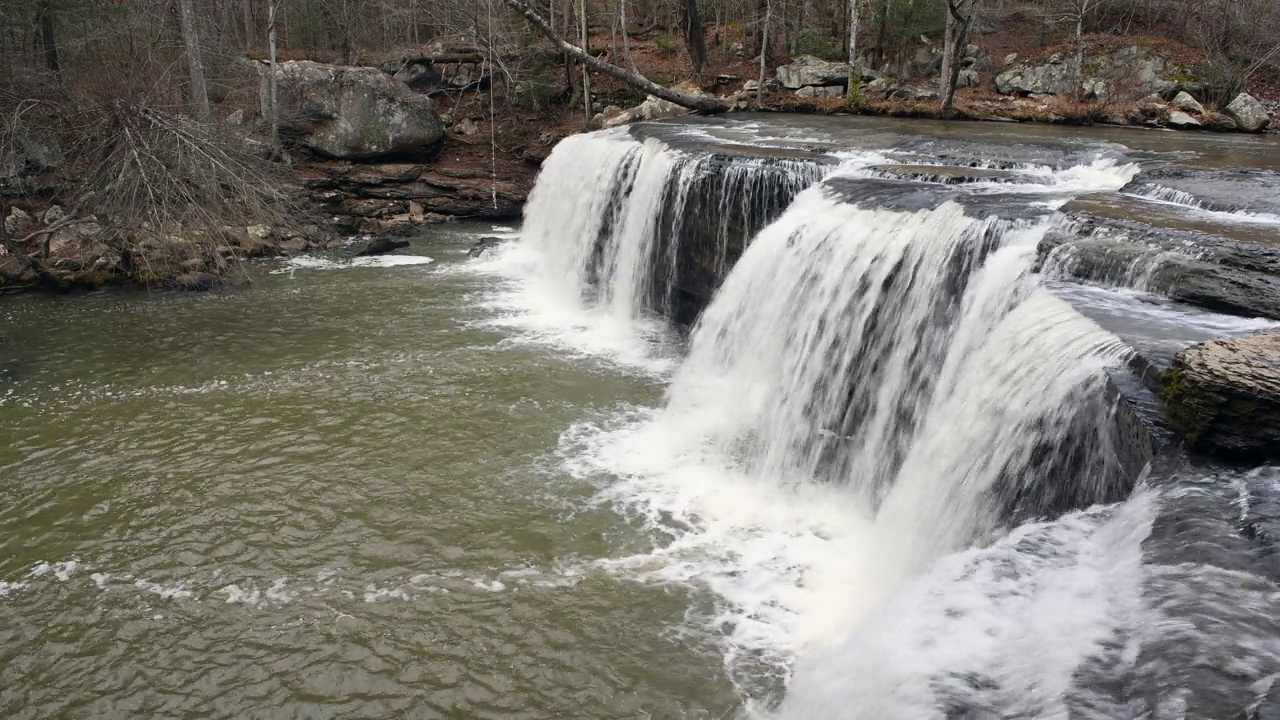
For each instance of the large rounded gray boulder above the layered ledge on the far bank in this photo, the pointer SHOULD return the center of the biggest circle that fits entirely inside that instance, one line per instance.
(353, 113)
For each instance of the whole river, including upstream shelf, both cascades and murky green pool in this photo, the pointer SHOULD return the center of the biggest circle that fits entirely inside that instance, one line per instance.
(898, 470)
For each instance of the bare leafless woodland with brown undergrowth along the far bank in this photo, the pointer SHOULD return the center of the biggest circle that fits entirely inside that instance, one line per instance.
(145, 117)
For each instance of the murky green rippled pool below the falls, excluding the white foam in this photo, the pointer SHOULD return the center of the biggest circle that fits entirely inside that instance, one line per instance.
(327, 494)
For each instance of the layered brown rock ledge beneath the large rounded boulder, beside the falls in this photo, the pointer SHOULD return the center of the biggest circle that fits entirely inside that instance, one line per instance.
(390, 197)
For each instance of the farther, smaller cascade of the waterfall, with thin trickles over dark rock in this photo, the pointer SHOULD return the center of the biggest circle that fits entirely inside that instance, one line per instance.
(637, 229)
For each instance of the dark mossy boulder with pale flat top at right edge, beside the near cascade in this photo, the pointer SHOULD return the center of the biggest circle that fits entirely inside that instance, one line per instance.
(1224, 397)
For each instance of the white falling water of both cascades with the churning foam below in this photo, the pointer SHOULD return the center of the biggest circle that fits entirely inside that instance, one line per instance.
(871, 395)
